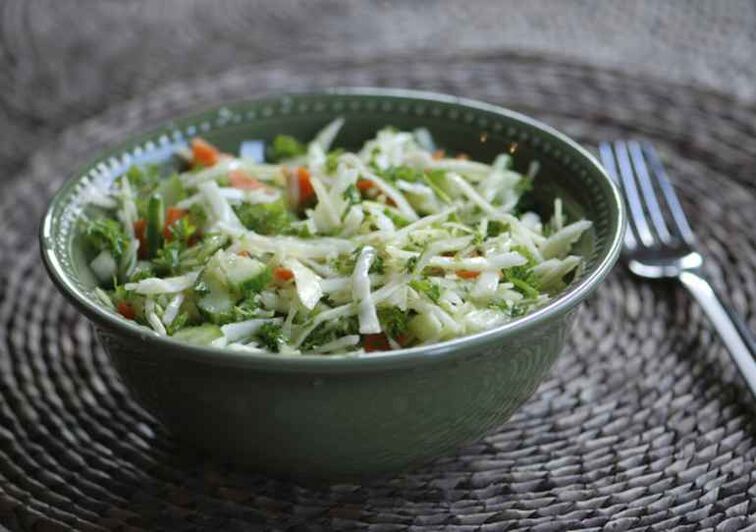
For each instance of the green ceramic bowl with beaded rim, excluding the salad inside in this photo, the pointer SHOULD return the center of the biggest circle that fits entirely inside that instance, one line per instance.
(342, 417)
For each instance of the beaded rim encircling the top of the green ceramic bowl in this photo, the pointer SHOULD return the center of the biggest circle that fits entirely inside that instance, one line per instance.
(347, 362)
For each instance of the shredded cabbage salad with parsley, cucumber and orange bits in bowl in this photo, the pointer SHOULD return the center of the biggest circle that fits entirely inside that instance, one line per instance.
(296, 248)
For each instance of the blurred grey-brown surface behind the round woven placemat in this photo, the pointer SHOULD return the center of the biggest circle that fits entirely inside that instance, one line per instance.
(61, 64)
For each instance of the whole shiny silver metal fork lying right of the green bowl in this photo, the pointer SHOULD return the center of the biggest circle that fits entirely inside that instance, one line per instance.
(659, 243)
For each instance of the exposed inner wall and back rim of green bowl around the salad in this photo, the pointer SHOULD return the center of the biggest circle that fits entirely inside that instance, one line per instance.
(482, 131)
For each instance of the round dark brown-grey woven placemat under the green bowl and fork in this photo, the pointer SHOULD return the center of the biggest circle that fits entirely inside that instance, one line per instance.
(642, 425)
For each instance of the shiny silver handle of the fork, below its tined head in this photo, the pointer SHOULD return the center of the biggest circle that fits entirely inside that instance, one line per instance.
(733, 329)
